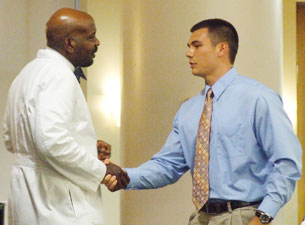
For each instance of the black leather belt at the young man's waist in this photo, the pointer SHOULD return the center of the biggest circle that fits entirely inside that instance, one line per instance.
(223, 206)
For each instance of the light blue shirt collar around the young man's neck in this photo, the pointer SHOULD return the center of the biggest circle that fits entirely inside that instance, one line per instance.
(221, 84)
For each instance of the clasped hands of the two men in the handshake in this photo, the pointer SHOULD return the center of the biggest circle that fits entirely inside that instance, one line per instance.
(115, 178)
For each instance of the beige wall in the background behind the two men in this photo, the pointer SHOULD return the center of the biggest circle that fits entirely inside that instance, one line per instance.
(142, 54)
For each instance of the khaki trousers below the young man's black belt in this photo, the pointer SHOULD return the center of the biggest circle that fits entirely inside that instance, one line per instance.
(240, 216)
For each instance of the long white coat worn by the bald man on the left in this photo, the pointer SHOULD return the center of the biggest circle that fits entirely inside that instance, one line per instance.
(56, 177)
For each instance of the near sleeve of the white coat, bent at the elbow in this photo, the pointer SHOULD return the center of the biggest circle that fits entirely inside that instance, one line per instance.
(53, 135)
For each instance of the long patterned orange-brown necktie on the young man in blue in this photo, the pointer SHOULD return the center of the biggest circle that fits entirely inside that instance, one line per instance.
(201, 165)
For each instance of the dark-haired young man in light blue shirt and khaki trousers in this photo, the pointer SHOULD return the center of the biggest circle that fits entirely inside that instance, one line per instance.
(254, 155)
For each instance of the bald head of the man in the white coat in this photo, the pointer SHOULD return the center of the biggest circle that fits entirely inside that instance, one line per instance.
(72, 33)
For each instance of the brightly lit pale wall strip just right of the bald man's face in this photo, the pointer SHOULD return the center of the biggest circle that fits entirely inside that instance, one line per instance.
(104, 88)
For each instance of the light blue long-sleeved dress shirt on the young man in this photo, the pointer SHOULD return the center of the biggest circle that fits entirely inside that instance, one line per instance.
(254, 153)
